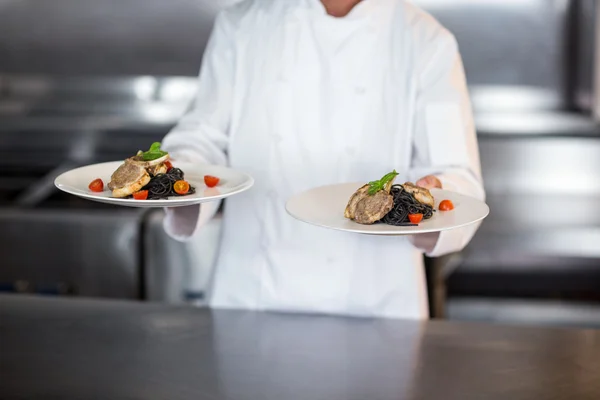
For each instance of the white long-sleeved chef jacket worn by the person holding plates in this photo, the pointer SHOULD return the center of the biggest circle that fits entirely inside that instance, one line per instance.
(299, 99)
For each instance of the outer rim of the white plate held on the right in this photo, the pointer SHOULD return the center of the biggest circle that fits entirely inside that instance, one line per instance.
(393, 230)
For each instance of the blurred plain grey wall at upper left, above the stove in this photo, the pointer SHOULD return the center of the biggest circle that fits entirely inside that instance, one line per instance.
(106, 37)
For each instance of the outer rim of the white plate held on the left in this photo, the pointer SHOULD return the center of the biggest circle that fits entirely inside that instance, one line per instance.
(249, 183)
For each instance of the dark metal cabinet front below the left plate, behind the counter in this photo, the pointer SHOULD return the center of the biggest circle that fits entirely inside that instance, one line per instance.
(70, 253)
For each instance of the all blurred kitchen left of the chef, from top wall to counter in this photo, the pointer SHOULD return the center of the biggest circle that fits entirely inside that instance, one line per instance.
(89, 82)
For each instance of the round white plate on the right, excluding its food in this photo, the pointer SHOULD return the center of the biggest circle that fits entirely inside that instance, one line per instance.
(324, 207)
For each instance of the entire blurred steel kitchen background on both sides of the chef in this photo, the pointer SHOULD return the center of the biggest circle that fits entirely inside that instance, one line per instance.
(85, 81)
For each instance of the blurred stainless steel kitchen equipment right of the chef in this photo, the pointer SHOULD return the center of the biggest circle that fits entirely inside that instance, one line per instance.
(531, 70)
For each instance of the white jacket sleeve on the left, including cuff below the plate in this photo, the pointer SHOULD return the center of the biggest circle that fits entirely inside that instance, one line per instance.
(201, 136)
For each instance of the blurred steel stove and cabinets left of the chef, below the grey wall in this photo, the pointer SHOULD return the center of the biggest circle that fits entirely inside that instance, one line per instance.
(56, 243)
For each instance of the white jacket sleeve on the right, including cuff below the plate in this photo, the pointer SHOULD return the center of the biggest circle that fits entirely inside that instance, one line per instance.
(444, 140)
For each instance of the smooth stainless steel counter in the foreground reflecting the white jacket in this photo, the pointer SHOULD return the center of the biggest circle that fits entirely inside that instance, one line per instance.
(91, 349)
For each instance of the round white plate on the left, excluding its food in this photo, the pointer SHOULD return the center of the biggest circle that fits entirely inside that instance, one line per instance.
(231, 182)
